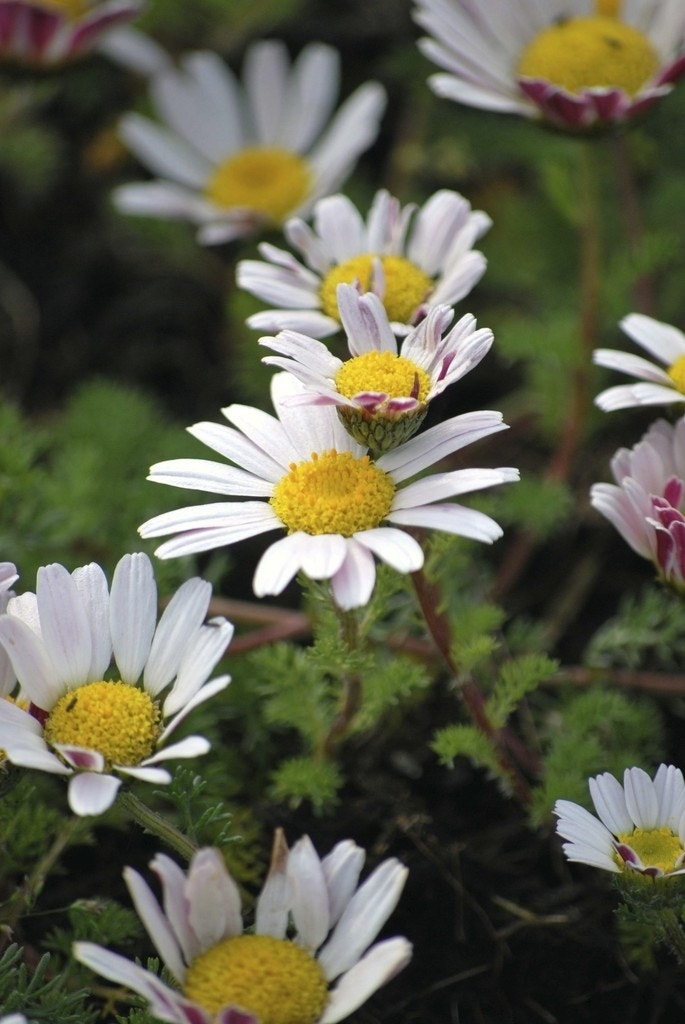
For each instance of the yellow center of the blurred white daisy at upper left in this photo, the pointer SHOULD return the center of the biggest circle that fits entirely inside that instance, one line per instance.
(273, 182)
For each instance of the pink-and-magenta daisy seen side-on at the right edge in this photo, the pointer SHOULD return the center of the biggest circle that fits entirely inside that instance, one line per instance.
(648, 502)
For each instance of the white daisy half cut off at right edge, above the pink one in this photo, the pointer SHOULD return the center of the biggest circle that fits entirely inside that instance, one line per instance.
(658, 388)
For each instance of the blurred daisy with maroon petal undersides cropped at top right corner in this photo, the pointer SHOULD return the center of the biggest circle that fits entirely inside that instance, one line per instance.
(574, 64)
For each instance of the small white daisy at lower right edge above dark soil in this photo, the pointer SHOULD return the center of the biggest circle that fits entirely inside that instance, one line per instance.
(641, 827)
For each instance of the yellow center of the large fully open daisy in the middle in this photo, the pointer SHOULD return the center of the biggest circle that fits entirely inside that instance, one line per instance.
(334, 493)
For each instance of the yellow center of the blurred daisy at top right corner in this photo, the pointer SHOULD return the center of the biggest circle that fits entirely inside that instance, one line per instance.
(591, 53)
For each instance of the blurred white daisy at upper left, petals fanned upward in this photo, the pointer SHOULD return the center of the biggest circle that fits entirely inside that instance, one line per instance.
(235, 159)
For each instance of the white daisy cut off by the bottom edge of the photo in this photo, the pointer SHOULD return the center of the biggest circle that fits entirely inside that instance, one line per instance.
(228, 976)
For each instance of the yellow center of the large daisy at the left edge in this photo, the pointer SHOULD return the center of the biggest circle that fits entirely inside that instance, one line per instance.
(118, 720)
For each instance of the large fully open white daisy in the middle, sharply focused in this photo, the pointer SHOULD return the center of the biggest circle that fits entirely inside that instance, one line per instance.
(339, 506)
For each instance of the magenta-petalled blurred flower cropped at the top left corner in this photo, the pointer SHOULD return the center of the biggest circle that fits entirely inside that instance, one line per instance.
(50, 32)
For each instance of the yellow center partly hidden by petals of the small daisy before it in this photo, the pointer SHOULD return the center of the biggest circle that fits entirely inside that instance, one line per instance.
(406, 286)
